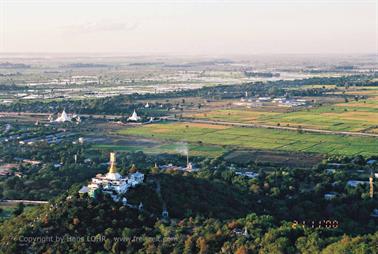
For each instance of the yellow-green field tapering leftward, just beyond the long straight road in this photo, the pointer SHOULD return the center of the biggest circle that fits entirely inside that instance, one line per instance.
(350, 116)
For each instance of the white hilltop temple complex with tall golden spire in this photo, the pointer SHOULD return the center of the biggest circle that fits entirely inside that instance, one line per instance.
(112, 183)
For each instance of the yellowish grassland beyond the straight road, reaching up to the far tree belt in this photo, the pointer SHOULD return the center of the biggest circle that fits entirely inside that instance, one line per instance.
(358, 116)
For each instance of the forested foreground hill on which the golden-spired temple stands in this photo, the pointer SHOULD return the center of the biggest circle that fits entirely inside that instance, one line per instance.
(84, 225)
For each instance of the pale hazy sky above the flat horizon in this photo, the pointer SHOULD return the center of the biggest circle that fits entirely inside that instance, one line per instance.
(189, 27)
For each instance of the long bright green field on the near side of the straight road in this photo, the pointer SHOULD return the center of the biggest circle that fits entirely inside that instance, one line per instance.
(257, 138)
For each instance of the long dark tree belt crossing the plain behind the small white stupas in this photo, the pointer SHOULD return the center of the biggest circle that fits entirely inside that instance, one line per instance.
(127, 103)
